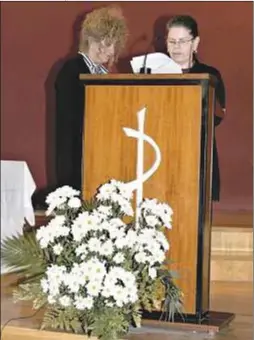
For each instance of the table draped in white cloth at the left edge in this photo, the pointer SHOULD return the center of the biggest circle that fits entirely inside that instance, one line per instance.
(17, 188)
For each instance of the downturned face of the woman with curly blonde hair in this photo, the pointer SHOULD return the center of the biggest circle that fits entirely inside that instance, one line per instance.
(102, 52)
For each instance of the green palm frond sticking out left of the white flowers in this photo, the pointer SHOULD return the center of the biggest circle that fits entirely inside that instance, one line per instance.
(23, 253)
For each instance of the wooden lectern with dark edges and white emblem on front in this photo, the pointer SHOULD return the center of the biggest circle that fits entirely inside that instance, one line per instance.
(179, 118)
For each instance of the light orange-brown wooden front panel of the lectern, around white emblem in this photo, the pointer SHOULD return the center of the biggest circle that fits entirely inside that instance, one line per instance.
(173, 120)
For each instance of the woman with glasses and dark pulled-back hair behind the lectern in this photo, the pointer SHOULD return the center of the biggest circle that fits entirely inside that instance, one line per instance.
(182, 45)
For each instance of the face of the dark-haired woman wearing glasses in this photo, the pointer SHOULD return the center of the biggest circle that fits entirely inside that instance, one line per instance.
(181, 45)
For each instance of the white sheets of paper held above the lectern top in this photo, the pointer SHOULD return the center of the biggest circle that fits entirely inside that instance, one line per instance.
(159, 63)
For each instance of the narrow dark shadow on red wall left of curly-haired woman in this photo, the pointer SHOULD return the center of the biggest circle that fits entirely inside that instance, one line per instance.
(49, 87)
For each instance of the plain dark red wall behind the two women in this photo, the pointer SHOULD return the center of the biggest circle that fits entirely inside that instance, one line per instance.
(35, 35)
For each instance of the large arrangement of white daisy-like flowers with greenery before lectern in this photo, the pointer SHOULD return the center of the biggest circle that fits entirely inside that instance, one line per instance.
(97, 268)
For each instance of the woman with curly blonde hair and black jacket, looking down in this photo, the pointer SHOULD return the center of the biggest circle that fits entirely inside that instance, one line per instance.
(102, 38)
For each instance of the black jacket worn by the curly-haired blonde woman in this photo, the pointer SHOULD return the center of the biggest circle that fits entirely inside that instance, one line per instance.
(69, 122)
